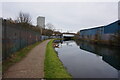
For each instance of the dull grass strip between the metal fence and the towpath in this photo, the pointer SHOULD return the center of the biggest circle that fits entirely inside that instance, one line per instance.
(17, 56)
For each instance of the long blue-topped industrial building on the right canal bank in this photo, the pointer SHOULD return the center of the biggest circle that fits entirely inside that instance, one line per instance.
(104, 33)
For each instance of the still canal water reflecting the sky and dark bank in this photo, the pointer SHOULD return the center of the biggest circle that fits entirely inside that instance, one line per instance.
(85, 60)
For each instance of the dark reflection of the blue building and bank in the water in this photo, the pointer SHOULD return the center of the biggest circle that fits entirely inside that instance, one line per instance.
(111, 55)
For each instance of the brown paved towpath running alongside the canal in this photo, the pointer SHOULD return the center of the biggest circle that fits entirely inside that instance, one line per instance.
(32, 66)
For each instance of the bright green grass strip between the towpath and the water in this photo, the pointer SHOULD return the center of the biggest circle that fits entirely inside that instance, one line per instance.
(53, 66)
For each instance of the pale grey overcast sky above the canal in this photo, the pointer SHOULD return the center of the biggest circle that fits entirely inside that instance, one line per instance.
(68, 16)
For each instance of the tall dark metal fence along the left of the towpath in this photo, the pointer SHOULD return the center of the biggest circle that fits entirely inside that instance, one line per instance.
(16, 37)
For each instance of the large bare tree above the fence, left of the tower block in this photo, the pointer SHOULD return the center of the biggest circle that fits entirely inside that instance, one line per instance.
(24, 18)
